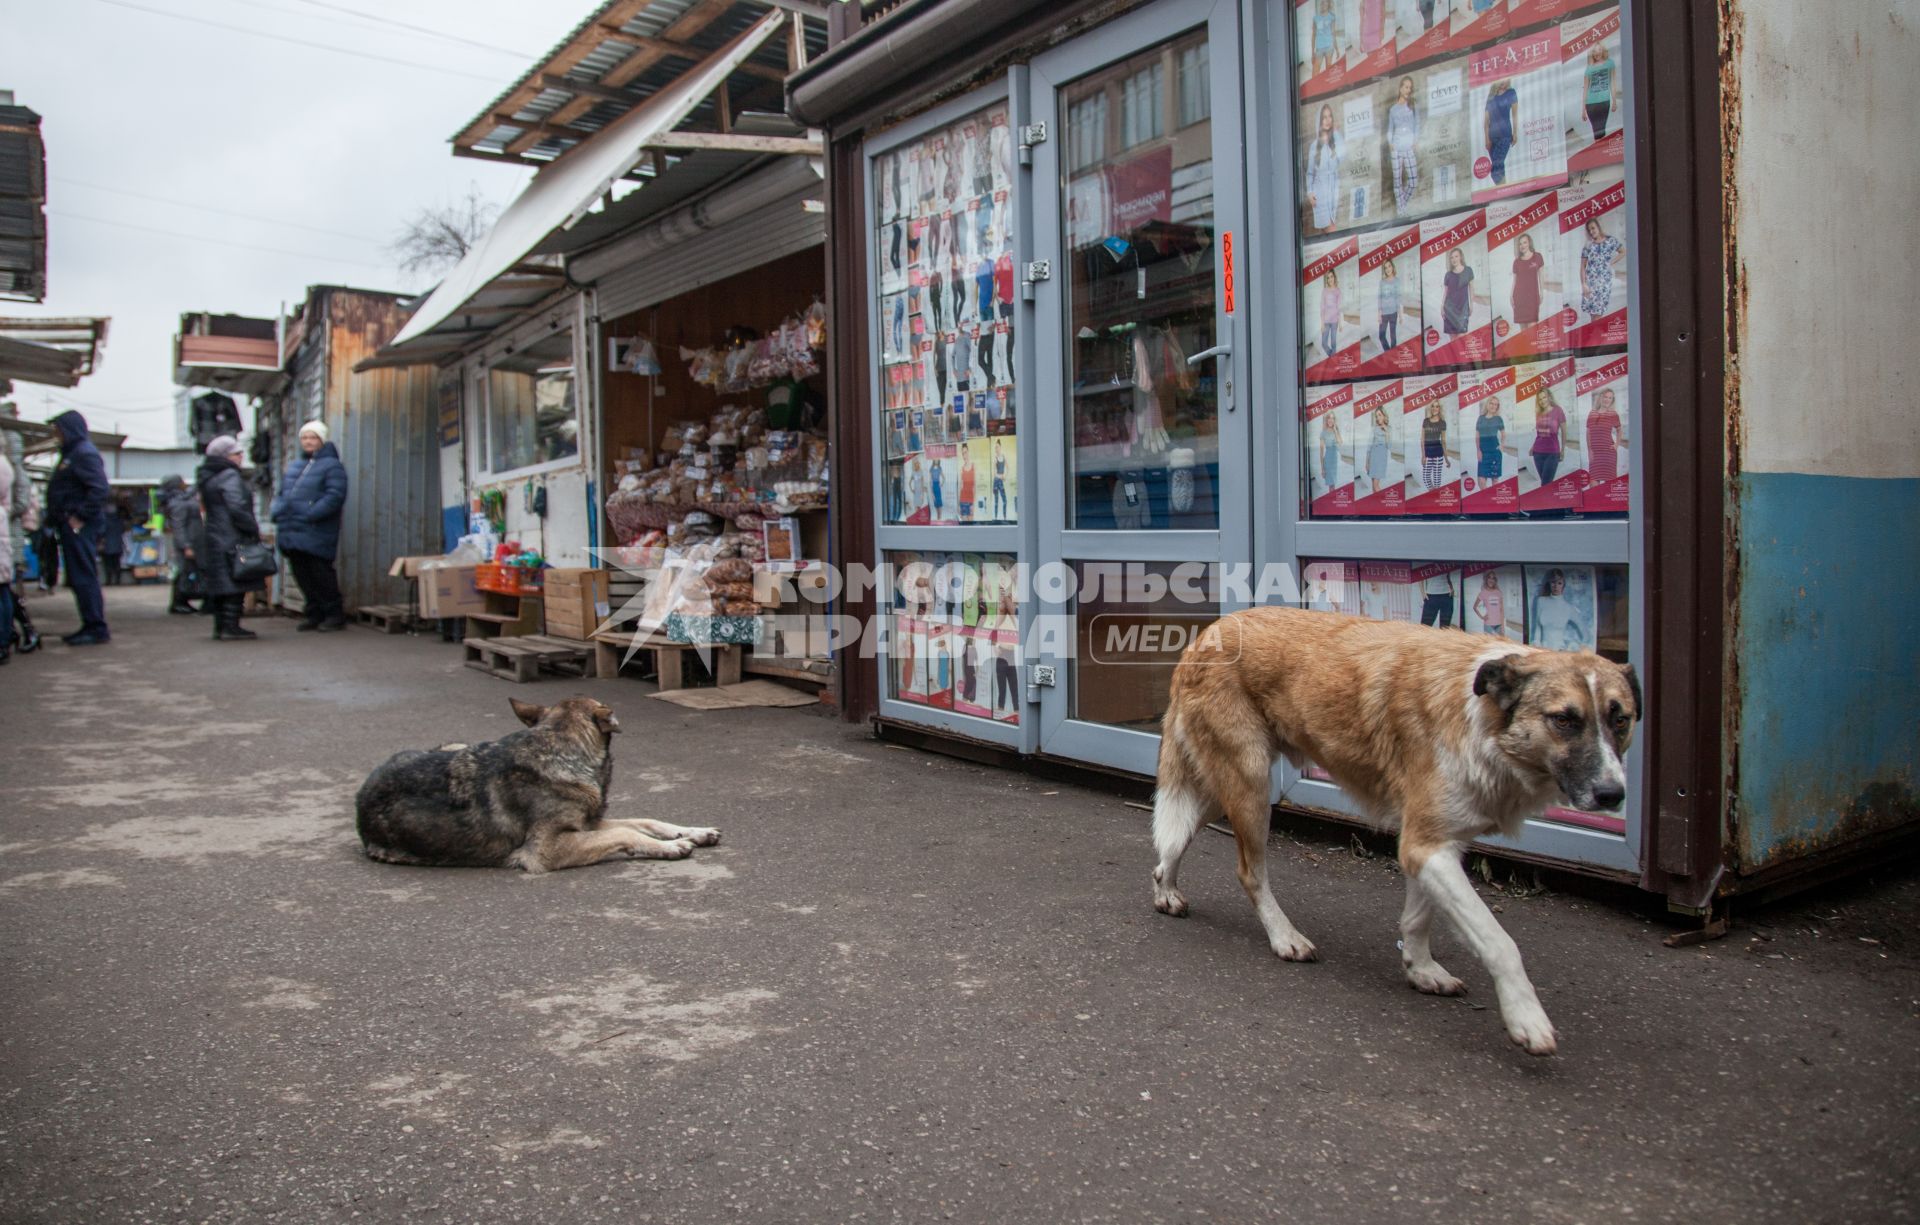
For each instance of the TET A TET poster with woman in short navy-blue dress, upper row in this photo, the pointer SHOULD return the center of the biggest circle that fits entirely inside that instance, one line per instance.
(1520, 143)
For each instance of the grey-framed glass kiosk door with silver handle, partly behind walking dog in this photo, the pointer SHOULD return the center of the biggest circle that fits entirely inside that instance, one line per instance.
(1145, 462)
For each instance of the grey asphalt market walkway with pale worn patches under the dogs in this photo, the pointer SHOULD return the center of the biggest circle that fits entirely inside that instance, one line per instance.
(903, 990)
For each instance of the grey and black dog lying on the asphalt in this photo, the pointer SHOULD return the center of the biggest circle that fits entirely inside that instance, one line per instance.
(535, 800)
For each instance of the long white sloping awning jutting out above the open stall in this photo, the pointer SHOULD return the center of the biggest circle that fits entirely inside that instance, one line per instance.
(564, 193)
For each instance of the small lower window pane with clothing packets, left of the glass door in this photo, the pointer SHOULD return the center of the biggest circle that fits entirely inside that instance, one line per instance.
(953, 642)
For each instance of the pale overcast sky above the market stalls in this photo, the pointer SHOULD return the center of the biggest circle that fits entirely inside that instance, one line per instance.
(314, 156)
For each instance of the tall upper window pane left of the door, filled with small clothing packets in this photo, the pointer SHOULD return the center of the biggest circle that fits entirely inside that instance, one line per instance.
(946, 295)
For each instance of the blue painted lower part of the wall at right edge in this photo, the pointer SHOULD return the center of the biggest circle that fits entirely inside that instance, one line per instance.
(1829, 658)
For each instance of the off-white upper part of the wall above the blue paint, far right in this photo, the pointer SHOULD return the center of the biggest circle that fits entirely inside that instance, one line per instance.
(1827, 235)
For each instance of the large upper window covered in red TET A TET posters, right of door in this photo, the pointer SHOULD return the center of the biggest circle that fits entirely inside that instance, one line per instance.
(1464, 264)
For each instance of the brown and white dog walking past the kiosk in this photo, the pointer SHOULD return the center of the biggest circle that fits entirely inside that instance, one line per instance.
(1437, 734)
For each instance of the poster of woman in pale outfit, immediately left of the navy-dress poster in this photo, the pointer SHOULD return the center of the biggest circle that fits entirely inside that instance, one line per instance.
(1424, 137)
